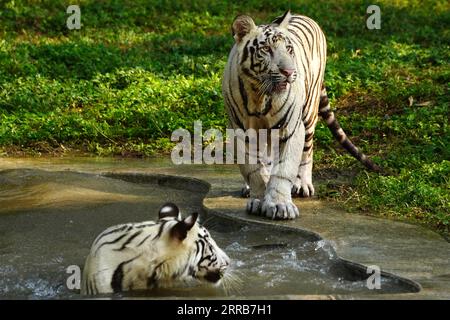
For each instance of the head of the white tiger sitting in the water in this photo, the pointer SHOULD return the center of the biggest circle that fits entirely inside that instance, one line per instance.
(204, 259)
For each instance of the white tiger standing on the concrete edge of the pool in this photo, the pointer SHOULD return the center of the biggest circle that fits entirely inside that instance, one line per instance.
(274, 80)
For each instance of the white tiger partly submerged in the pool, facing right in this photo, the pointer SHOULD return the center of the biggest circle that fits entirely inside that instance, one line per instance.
(146, 255)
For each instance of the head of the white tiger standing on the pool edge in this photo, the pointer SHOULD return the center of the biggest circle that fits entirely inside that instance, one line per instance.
(266, 54)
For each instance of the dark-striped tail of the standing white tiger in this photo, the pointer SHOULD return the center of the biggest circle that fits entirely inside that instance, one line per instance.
(339, 134)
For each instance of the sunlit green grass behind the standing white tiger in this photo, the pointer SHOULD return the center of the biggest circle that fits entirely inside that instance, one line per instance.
(139, 69)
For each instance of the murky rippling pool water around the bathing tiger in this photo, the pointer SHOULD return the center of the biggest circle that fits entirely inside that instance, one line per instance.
(48, 221)
